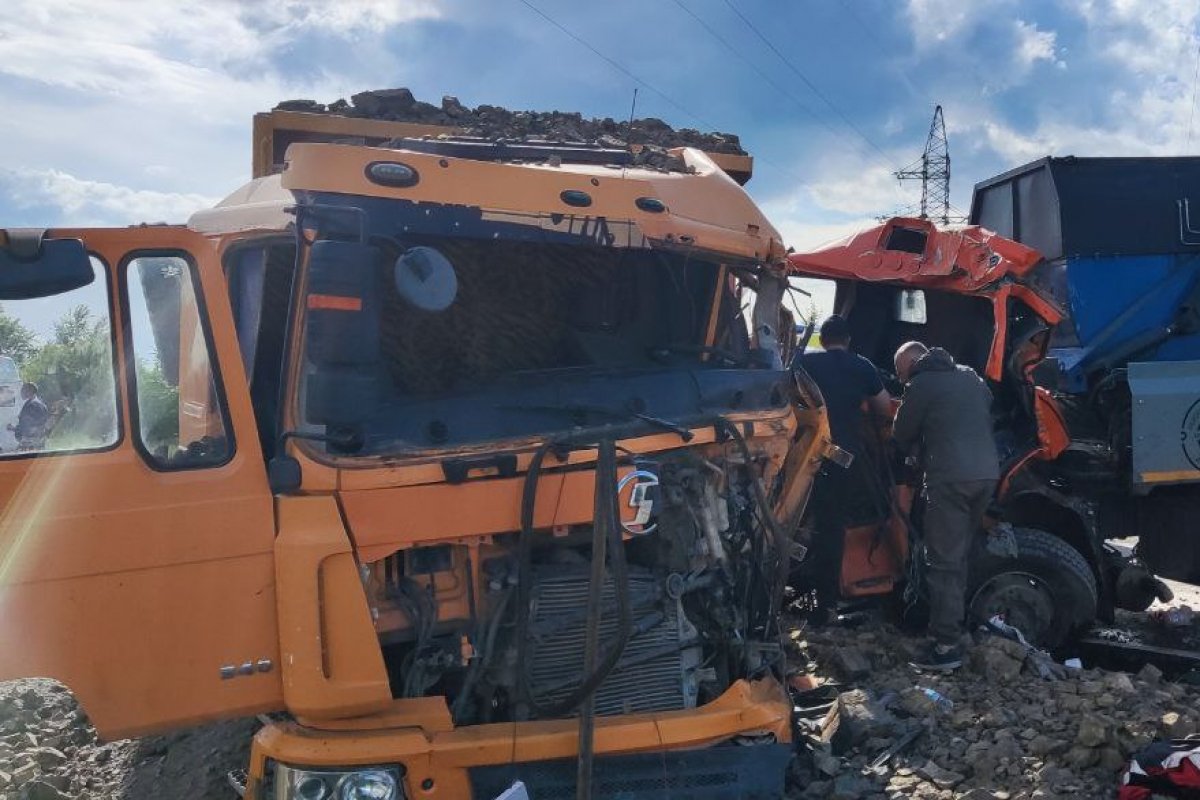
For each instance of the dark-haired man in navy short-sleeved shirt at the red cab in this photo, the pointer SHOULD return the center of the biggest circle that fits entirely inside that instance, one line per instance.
(847, 381)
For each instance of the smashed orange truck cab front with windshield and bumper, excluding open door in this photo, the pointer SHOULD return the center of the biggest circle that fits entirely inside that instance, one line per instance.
(501, 372)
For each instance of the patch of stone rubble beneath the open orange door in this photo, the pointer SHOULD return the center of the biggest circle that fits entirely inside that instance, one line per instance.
(50, 751)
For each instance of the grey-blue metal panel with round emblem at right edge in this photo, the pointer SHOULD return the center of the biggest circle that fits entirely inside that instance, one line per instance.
(1166, 423)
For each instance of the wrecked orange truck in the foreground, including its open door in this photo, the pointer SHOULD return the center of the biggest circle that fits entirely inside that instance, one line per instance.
(461, 456)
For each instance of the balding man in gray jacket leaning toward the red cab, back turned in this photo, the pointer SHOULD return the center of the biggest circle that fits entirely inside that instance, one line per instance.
(946, 411)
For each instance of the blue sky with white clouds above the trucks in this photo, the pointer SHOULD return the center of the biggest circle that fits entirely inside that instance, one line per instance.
(119, 112)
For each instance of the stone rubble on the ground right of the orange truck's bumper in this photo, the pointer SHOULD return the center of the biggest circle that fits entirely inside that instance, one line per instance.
(1022, 727)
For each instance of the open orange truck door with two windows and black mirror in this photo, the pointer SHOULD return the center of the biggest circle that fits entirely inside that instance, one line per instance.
(137, 527)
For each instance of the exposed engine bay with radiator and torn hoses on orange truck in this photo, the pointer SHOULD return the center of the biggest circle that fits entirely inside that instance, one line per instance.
(683, 606)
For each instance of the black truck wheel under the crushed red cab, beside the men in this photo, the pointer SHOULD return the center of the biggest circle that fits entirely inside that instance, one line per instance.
(1048, 592)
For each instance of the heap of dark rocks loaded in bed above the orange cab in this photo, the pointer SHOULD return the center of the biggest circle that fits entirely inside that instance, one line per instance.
(496, 123)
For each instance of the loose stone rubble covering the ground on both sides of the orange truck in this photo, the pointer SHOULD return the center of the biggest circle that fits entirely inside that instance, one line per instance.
(1011, 735)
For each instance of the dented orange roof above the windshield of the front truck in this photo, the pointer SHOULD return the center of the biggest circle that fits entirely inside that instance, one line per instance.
(699, 208)
